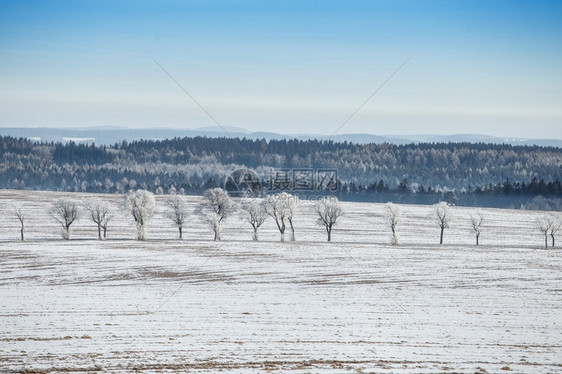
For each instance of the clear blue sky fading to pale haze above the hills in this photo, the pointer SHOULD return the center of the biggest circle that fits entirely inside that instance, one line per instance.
(489, 67)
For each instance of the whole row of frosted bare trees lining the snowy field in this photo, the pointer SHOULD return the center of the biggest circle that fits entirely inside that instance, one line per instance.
(217, 206)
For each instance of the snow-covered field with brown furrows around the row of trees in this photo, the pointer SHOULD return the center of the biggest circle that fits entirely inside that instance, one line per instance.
(354, 305)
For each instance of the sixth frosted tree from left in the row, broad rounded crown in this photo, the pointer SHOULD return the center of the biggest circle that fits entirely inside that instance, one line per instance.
(215, 207)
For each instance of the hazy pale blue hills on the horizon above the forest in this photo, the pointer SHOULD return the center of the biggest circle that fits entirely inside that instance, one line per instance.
(112, 135)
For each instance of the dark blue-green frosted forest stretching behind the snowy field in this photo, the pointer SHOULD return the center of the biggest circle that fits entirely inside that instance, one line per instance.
(461, 173)
